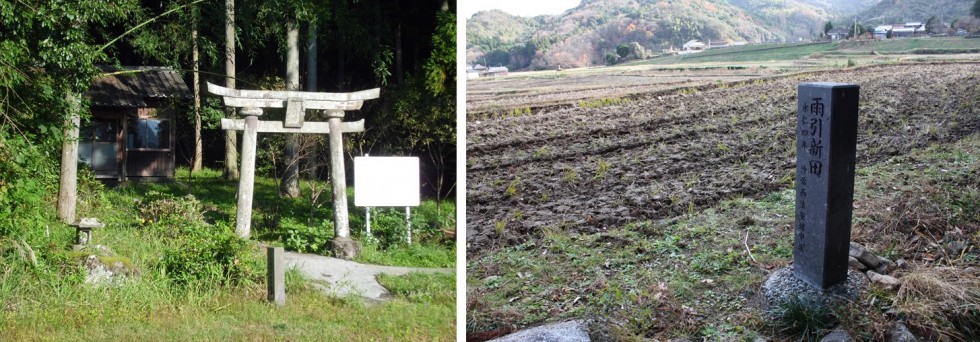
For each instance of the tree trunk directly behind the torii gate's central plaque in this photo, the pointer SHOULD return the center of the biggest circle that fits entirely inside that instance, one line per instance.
(289, 187)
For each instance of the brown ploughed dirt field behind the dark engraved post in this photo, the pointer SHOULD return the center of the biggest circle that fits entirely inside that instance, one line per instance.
(665, 152)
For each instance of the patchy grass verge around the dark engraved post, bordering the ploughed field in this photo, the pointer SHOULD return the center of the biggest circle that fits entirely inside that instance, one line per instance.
(693, 277)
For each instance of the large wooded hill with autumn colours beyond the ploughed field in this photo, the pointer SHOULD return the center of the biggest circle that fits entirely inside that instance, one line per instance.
(588, 33)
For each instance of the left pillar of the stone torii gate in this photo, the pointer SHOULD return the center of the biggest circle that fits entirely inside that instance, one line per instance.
(246, 180)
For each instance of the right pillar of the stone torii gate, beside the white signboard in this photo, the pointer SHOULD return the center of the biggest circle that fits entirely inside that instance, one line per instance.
(343, 246)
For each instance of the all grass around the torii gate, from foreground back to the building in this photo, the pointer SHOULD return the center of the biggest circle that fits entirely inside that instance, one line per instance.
(49, 300)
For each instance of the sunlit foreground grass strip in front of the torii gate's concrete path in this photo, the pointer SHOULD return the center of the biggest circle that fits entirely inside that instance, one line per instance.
(57, 306)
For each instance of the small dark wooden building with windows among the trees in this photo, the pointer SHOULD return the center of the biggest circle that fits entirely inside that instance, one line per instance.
(131, 133)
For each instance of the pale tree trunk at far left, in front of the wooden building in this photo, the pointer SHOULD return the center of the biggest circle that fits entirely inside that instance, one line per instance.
(68, 189)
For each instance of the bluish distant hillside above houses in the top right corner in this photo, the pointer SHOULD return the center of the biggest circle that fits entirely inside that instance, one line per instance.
(898, 11)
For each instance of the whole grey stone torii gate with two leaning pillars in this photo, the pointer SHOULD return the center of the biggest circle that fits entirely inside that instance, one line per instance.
(296, 104)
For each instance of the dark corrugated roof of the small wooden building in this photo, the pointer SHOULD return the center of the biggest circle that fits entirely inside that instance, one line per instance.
(131, 87)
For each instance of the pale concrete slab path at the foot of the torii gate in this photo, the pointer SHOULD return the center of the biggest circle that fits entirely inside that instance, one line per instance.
(345, 278)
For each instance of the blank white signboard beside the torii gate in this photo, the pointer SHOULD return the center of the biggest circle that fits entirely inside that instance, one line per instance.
(386, 181)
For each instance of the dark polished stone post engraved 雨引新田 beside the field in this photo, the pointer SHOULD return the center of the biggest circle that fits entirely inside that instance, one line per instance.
(826, 145)
